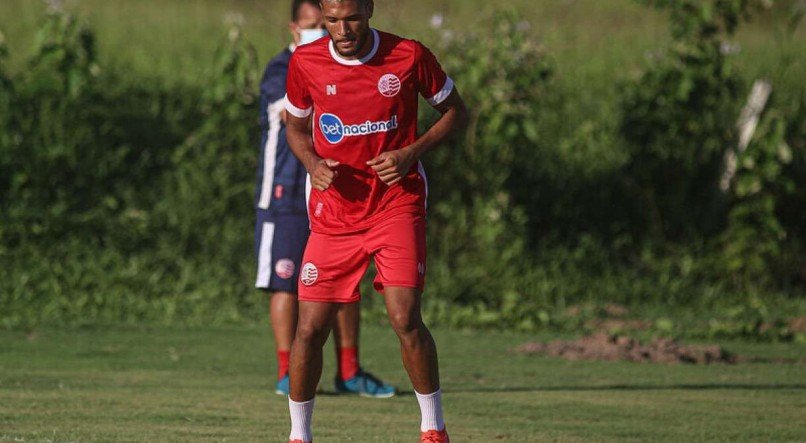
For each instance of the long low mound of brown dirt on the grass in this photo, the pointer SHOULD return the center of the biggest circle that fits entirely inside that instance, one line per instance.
(608, 347)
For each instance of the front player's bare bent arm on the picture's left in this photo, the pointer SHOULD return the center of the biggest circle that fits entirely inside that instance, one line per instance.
(298, 133)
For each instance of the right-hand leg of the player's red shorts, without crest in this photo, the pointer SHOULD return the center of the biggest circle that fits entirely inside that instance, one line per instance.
(398, 245)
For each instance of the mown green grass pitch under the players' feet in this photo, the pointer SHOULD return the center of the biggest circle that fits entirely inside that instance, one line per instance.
(157, 384)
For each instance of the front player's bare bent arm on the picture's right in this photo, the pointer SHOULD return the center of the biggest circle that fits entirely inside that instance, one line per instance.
(392, 166)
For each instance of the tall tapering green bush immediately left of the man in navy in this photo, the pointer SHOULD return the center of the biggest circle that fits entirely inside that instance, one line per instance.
(206, 206)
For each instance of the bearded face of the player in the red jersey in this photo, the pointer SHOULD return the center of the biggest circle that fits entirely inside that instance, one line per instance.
(347, 22)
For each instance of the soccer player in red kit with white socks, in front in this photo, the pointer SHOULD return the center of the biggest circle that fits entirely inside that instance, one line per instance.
(359, 90)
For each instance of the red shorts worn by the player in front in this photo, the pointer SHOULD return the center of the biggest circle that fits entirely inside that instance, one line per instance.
(333, 265)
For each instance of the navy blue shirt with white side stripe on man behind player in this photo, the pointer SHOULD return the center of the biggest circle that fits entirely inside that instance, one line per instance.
(281, 177)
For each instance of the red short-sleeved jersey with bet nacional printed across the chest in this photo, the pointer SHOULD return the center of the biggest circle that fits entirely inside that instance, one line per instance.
(360, 109)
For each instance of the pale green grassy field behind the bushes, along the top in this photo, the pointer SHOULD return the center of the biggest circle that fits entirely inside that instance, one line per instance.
(595, 42)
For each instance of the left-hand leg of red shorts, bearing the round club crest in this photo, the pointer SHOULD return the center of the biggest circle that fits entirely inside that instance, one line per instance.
(332, 268)
